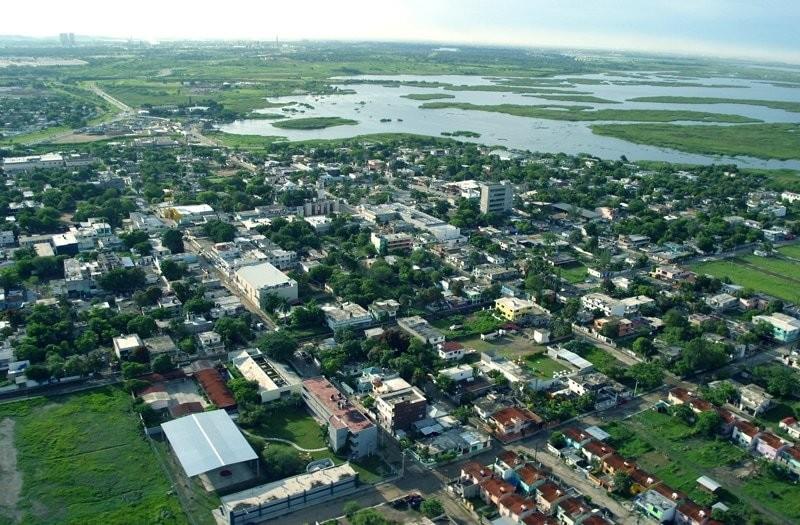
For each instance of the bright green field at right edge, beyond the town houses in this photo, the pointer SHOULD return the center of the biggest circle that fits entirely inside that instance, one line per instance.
(775, 277)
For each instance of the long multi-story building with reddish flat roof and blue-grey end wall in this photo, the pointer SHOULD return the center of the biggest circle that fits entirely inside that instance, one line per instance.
(346, 425)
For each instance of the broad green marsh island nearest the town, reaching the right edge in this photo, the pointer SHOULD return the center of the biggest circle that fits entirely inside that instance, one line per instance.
(766, 140)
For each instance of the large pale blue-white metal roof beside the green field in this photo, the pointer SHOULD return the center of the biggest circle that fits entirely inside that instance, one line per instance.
(207, 441)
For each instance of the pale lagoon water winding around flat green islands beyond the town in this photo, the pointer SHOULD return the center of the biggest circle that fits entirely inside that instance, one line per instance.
(372, 102)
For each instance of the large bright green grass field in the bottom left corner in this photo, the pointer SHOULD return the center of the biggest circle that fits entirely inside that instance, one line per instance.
(83, 459)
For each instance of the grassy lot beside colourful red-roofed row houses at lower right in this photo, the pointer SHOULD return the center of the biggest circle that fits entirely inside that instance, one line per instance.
(670, 449)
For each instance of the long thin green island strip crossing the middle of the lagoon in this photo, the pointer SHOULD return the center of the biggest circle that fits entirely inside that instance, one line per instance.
(570, 113)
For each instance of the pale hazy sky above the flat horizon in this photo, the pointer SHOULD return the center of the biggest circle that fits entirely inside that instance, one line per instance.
(764, 29)
